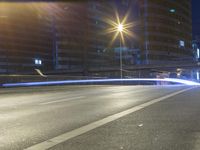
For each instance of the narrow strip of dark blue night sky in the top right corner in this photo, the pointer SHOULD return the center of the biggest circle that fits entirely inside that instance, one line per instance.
(196, 17)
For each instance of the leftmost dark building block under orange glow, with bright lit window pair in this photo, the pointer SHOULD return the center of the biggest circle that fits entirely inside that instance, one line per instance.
(25, 38)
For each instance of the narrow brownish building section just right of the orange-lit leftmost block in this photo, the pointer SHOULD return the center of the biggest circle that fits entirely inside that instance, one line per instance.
(70, 29)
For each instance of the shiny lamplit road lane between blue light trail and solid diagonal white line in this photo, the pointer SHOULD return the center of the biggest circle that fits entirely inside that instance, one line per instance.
(32, 115)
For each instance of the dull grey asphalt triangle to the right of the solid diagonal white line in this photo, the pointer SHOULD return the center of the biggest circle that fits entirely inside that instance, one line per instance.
(172, 124)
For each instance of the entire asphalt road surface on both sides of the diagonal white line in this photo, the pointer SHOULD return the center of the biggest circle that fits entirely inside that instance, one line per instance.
(29, 116)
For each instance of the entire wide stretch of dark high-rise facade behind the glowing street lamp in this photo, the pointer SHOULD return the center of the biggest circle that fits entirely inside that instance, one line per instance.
(71, 36)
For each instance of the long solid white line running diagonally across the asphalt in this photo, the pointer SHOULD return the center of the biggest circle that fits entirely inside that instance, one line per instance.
(74, 133)
